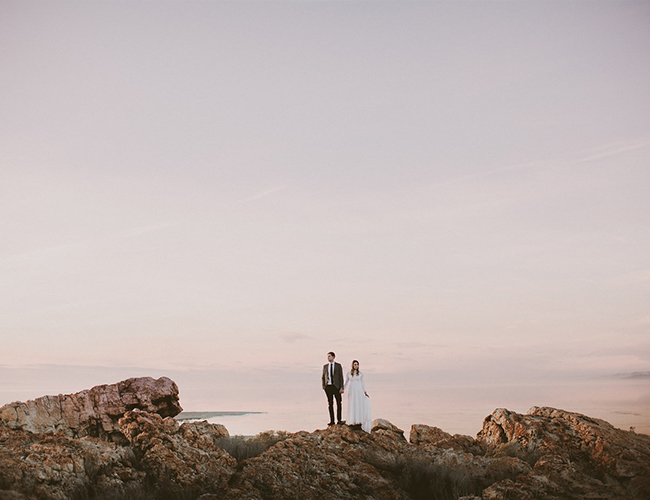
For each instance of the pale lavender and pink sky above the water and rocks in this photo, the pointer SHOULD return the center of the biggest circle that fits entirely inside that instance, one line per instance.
(456, 188)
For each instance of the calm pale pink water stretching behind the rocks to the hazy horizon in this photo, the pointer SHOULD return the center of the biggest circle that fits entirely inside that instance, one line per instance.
(294, 401)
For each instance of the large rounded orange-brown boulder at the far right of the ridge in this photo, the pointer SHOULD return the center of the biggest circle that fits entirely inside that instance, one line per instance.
(571, 455)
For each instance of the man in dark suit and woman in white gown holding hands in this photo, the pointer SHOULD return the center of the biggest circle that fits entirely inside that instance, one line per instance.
(358, 399)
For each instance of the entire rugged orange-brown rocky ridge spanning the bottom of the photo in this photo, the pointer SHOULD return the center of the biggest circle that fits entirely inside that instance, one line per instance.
(545, 454)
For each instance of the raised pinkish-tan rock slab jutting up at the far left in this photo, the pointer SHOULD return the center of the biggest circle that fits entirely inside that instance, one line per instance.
(93, 412)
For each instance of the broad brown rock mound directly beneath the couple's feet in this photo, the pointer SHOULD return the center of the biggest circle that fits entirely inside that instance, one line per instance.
(335, 463)
